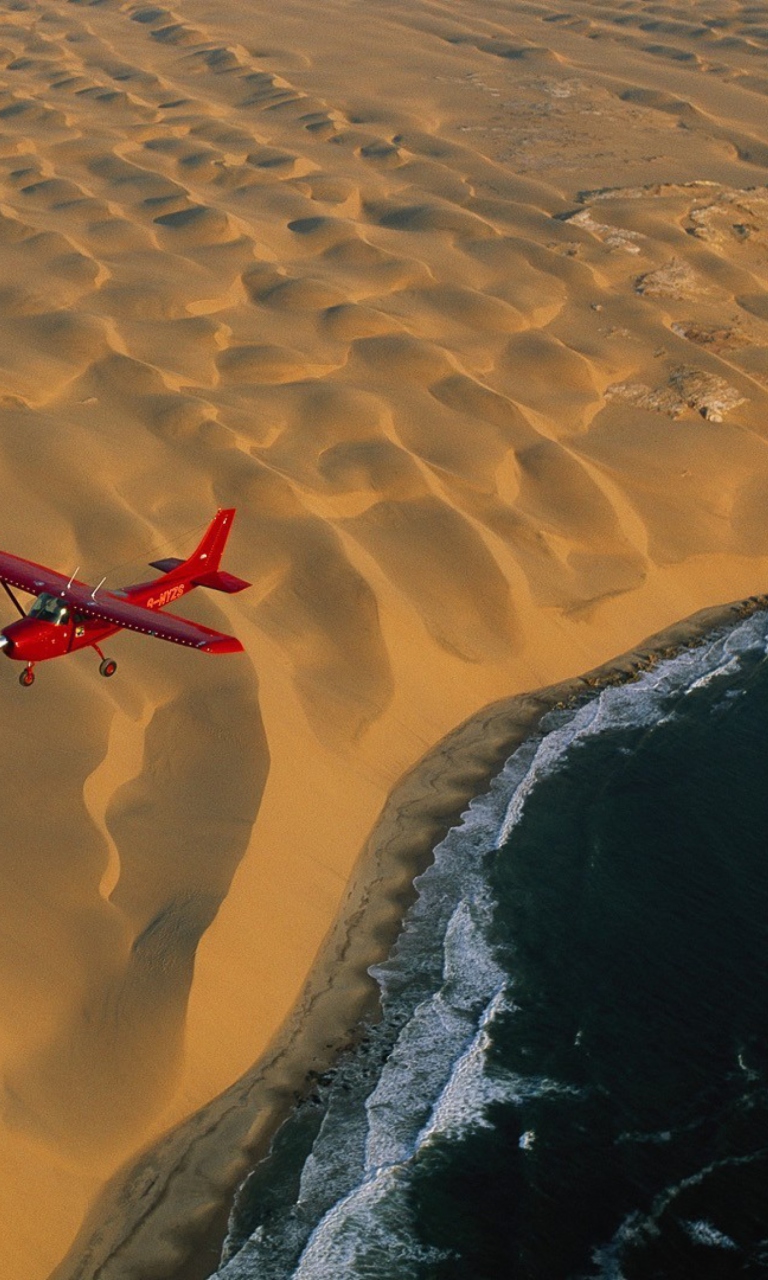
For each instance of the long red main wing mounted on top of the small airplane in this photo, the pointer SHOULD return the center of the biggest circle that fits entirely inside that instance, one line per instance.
(112, 610)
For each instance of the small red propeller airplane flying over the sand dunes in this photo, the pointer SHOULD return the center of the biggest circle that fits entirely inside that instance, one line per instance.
(68, 615)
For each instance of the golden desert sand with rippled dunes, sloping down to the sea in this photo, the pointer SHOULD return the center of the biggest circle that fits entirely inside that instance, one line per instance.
(464, 309)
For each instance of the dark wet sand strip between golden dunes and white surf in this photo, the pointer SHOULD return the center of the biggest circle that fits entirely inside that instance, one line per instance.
(167, 1213)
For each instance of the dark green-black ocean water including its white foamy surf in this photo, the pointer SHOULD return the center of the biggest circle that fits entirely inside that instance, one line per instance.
(572, 1075)
